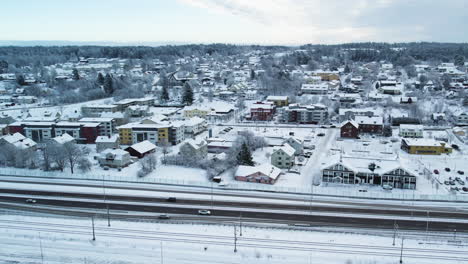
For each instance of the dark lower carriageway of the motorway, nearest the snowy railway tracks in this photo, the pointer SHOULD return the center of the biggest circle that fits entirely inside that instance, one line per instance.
(317, 220)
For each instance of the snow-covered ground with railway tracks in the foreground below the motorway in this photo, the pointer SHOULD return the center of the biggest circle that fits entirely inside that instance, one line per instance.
(47, 239)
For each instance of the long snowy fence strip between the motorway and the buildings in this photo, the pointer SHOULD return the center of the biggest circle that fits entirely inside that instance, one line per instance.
(308, 192)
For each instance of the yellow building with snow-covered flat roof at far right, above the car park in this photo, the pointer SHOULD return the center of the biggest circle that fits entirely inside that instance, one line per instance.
(424, 146)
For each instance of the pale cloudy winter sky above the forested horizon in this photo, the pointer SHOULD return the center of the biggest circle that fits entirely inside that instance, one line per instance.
(285, 22)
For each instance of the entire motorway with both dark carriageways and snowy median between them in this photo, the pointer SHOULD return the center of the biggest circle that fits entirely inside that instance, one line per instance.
(314, 214)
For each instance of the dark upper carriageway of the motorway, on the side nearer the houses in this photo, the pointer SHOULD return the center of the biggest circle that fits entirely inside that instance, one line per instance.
(208, 203)
